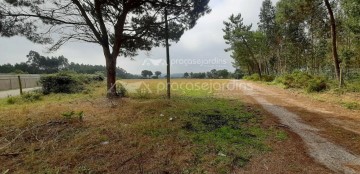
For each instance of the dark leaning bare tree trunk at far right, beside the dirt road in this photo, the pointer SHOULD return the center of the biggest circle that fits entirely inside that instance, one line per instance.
(334, 41)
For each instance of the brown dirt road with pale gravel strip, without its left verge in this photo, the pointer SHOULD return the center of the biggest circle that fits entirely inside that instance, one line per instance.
(331, 133)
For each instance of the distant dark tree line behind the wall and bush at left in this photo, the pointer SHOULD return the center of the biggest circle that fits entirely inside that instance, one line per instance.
(39, 64)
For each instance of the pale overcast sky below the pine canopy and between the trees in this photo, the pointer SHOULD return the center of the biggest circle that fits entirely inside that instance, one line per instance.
(200, 49)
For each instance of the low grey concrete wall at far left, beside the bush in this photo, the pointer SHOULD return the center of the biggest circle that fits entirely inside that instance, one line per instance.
(9, 82)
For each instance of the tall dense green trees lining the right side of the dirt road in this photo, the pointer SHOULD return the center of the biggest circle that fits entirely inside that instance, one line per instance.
(320, 37)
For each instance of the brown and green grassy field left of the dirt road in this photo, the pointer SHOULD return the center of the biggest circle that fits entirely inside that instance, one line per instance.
(194, 132)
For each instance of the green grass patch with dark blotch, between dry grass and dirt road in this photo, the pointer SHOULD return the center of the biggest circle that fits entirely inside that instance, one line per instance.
(224, 133)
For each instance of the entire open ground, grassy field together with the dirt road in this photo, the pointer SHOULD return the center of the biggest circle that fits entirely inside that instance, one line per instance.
(209, 126)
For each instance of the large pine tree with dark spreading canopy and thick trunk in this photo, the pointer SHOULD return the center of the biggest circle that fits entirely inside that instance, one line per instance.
(121, 27)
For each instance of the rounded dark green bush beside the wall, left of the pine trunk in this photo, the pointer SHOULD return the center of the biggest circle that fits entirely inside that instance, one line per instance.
(62, 83)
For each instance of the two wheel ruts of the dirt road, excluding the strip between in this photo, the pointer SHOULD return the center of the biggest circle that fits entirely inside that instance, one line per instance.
(324, 151)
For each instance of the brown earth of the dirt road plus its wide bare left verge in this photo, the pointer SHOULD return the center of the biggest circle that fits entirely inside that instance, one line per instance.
(321, 133)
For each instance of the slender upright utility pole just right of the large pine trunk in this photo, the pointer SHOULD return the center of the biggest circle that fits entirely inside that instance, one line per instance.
(167, 53)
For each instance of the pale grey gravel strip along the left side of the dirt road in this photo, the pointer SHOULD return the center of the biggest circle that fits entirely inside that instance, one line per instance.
(327, 153)
